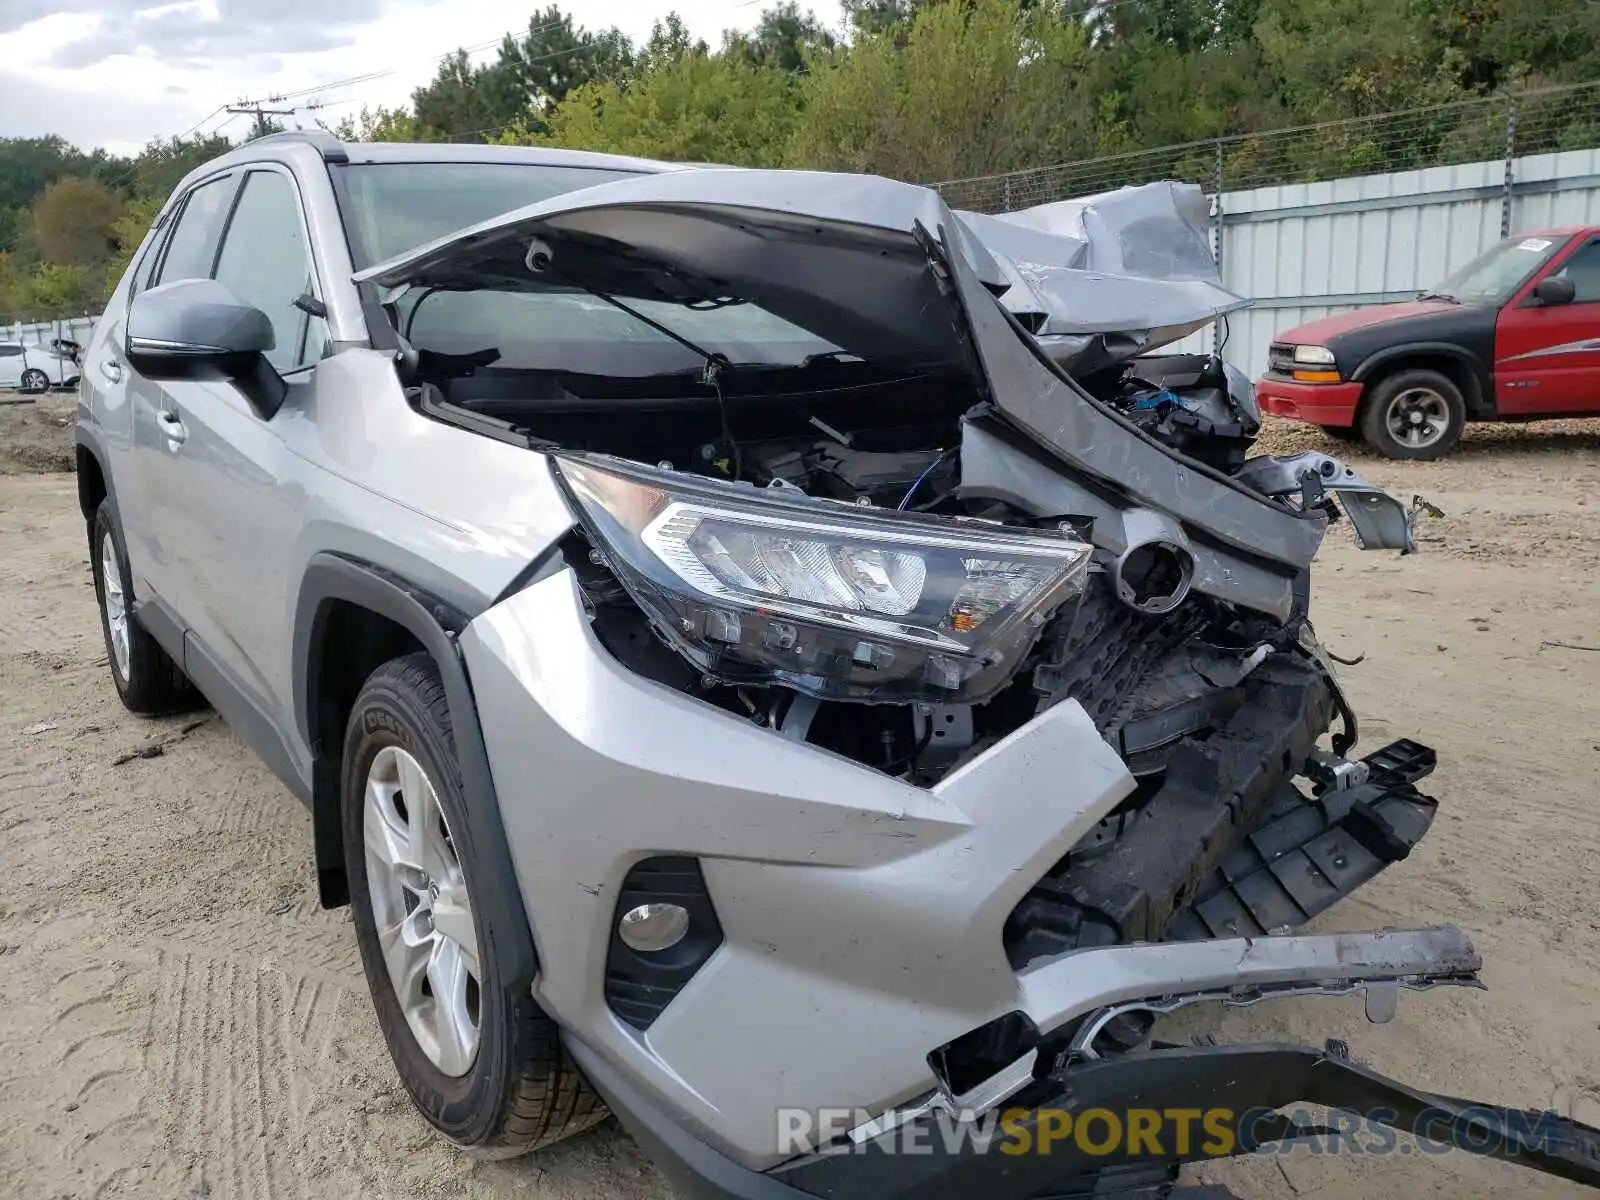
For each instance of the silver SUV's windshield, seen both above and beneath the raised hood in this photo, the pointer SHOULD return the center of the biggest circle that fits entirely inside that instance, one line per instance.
(398, 207)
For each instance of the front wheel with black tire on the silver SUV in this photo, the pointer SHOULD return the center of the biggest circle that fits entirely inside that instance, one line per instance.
(516, 1090)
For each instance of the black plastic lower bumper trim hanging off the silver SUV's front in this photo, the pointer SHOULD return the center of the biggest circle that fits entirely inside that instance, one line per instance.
(1194, 1103)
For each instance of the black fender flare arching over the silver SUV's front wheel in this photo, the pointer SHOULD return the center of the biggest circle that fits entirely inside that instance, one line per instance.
(436, 625)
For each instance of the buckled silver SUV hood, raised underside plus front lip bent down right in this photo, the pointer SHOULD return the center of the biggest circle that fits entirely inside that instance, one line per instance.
(879, 268)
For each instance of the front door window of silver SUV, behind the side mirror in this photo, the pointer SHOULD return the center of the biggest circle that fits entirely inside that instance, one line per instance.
(266, 263)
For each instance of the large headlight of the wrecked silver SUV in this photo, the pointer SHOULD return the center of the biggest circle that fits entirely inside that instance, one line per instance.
(758, 586)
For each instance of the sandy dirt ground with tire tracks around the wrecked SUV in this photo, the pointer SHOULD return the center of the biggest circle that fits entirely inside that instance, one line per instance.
(180, 1020)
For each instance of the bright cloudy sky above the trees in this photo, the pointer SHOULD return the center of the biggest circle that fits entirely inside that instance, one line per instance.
(138, 70)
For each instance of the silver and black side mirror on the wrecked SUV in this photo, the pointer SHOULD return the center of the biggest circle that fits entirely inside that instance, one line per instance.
(196, 329)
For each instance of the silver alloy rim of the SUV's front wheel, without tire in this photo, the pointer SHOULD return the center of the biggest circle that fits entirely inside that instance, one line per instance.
(422, 911)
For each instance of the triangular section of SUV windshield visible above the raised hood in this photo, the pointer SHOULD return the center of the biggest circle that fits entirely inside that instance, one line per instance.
(398, 207)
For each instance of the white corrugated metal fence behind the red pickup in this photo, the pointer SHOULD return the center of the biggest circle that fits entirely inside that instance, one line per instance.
(1306, 250)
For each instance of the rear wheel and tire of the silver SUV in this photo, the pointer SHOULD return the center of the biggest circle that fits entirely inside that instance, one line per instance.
(146, 678)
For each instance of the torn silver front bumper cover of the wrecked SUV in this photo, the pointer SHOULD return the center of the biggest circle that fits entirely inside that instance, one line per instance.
(862, 922)
